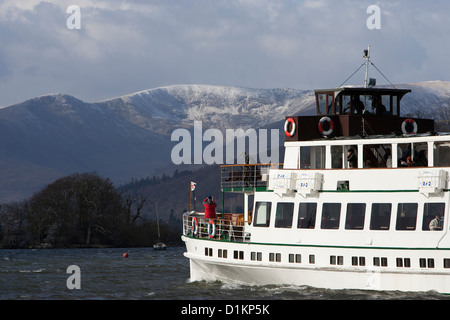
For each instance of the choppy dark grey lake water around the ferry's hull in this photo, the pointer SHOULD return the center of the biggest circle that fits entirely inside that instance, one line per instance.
(145, 274)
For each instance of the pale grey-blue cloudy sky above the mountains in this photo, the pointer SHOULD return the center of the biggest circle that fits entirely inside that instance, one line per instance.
(125, 46)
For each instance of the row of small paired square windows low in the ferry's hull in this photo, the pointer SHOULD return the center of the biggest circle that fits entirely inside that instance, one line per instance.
(334, 260)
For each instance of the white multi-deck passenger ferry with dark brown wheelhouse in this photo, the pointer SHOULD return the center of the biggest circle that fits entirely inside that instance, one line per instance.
(360, 202)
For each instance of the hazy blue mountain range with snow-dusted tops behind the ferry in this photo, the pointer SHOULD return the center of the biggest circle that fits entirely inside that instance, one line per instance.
(55, 135)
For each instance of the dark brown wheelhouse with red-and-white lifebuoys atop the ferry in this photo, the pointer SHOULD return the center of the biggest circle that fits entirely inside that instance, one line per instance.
(355, 111)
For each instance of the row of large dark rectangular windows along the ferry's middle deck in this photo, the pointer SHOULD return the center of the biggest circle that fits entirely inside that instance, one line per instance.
(380, 215)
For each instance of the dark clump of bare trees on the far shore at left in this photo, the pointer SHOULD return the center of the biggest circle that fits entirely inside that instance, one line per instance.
(80, 210)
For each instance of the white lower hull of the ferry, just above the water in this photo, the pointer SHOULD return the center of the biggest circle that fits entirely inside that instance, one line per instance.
(209, 268)
